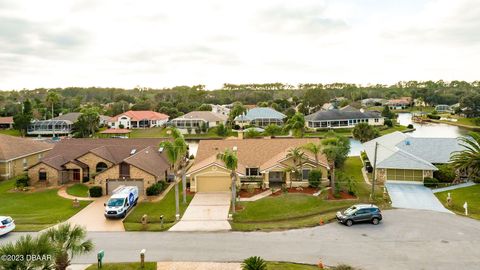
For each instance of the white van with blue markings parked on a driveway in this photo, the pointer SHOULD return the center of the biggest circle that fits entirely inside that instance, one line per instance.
(122, 200)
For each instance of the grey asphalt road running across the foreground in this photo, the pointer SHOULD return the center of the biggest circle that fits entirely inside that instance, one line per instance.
(406, 239)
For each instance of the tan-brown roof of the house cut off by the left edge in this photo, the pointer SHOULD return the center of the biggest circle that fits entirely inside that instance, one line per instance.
(14, 147)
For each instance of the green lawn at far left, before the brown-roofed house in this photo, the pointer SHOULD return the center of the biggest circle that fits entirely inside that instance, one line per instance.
(34, 211)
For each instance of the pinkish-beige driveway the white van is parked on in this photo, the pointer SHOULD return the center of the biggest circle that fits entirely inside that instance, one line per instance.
(91, 217)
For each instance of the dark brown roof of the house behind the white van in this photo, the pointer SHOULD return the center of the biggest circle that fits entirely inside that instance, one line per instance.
(114, 150)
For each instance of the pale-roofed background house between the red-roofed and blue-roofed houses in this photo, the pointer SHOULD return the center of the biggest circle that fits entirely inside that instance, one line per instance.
(196, 119)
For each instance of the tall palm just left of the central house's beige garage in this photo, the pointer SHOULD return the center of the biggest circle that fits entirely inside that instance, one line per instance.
(176, 151)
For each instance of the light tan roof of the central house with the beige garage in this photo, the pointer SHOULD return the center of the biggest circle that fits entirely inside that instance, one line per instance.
(261, 153)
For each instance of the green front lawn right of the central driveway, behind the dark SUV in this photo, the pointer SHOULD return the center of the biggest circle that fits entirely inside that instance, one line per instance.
(303, 210)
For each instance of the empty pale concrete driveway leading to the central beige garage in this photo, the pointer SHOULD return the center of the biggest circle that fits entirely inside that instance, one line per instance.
(206, 212)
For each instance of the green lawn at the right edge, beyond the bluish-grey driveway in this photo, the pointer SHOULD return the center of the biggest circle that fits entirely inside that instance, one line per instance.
(471, 195)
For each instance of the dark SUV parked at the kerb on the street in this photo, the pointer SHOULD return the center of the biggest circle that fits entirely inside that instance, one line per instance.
(360, 213)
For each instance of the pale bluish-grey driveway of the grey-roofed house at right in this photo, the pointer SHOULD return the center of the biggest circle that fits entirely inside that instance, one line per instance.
(413, 196)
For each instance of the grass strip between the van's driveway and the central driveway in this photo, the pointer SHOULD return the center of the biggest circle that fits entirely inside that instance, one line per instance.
(154, 210)
